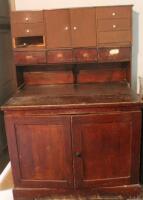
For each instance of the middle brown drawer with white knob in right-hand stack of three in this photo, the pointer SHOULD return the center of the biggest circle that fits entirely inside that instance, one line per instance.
(113, 24)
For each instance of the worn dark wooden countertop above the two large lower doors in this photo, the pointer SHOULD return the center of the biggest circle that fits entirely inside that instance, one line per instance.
(71, 95)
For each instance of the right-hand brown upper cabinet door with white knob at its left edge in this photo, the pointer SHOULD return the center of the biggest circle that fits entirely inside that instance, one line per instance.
(83, 26)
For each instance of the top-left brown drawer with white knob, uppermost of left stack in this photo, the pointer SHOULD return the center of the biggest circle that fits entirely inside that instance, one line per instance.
(27, 16)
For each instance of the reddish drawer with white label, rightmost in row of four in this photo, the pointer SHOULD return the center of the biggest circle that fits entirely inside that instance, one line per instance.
(114, 54)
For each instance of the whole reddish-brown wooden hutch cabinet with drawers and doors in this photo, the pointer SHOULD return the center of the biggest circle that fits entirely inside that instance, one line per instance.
(74, 124)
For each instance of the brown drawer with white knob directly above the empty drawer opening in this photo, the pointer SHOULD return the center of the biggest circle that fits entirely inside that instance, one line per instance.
(36, 29)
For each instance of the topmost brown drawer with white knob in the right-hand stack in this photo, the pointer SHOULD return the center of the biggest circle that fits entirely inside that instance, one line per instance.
(113, 12)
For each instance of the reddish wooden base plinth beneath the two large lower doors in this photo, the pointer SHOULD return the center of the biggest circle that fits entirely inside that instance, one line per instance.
(31, 193)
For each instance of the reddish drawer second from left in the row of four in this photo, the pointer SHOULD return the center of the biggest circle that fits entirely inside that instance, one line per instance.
(60, 56)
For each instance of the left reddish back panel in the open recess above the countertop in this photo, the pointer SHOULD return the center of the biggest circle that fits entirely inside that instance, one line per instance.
(43, 78)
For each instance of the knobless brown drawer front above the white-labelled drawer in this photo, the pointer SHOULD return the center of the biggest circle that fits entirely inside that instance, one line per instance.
(110, 37)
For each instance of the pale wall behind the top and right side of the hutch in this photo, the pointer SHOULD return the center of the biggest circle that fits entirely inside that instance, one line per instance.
(137, 59)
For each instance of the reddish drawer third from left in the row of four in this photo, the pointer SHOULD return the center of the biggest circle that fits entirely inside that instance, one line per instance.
(85, 55)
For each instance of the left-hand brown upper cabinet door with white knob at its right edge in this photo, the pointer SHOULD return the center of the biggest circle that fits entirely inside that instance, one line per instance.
(58, 28)
